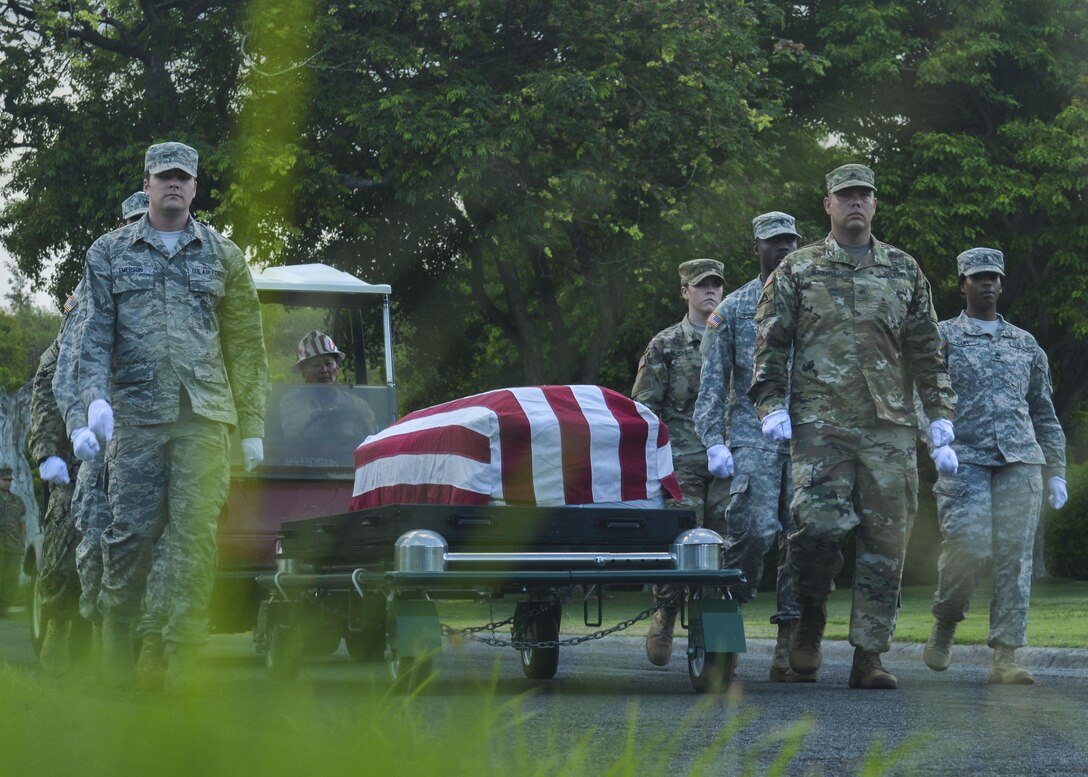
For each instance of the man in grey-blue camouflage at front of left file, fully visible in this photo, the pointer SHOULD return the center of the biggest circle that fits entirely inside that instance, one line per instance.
(170, 347)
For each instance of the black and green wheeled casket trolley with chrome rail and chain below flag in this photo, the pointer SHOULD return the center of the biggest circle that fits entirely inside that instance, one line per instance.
(375, 579)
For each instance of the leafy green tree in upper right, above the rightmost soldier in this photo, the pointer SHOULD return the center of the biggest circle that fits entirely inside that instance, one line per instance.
(974, 116)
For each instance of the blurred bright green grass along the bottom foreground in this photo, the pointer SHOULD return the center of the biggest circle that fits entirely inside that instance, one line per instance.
(57, 730)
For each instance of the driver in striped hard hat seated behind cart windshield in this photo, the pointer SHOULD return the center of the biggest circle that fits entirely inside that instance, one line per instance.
(328, 422)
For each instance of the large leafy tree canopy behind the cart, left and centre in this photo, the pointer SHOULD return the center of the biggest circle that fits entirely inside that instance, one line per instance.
(527, 175)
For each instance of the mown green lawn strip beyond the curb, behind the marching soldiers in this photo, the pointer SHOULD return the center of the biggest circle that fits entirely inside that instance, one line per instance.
(1058, 619)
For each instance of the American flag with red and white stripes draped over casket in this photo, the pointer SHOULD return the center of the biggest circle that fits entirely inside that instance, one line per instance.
(535, 446)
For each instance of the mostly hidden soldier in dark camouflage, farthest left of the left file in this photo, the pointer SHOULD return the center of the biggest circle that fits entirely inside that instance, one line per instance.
(48, 442)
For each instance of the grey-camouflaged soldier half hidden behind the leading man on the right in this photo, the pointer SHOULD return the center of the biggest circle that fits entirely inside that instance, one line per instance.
(759, 512)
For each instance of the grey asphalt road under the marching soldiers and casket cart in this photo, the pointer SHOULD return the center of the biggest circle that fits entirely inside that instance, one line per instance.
(959, 723)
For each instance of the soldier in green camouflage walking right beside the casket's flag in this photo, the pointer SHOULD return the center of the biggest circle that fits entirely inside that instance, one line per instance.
(667, 383)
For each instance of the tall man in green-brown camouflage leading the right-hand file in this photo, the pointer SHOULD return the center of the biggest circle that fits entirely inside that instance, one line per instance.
(859, 317)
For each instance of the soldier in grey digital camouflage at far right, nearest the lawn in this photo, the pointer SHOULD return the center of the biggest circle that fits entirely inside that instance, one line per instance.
(1008, 443)
